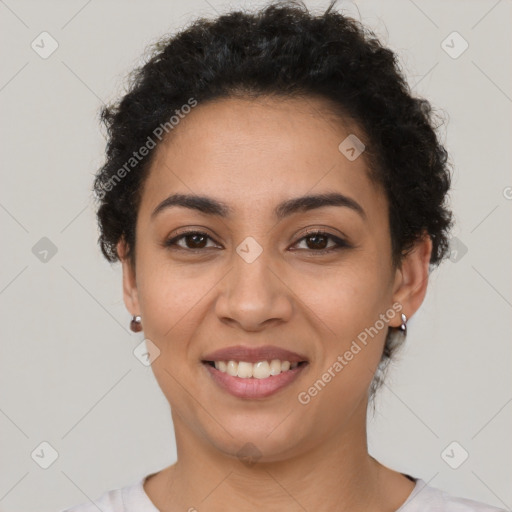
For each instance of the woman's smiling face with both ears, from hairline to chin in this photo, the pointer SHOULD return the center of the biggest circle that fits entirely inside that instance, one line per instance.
(257, 275)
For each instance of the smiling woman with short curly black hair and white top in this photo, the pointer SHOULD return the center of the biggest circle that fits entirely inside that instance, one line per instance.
(277, 198)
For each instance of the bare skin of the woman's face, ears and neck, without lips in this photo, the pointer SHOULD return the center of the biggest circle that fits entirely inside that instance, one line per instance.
(252, 155)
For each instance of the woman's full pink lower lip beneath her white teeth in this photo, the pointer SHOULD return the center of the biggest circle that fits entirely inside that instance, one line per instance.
(254, 388)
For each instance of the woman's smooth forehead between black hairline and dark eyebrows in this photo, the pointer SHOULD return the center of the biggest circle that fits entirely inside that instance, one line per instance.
(258, 152)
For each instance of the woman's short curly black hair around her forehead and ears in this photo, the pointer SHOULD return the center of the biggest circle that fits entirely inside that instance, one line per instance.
(283, 50)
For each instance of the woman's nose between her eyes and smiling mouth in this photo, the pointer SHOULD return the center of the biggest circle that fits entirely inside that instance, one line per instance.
(254, 295)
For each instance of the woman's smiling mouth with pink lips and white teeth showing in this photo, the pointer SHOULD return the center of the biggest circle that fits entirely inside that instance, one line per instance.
(253, 373)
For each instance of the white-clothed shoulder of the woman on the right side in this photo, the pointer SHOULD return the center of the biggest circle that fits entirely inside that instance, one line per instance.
(425, 498)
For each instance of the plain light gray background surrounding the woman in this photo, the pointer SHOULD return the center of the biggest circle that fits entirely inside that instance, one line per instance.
(67, 372)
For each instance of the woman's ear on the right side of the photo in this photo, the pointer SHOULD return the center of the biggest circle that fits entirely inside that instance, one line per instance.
(411, 279)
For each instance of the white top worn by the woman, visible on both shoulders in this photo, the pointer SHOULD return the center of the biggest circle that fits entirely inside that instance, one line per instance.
(423, 498)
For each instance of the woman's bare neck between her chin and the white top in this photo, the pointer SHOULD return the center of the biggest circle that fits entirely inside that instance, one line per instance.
(336, 474)
